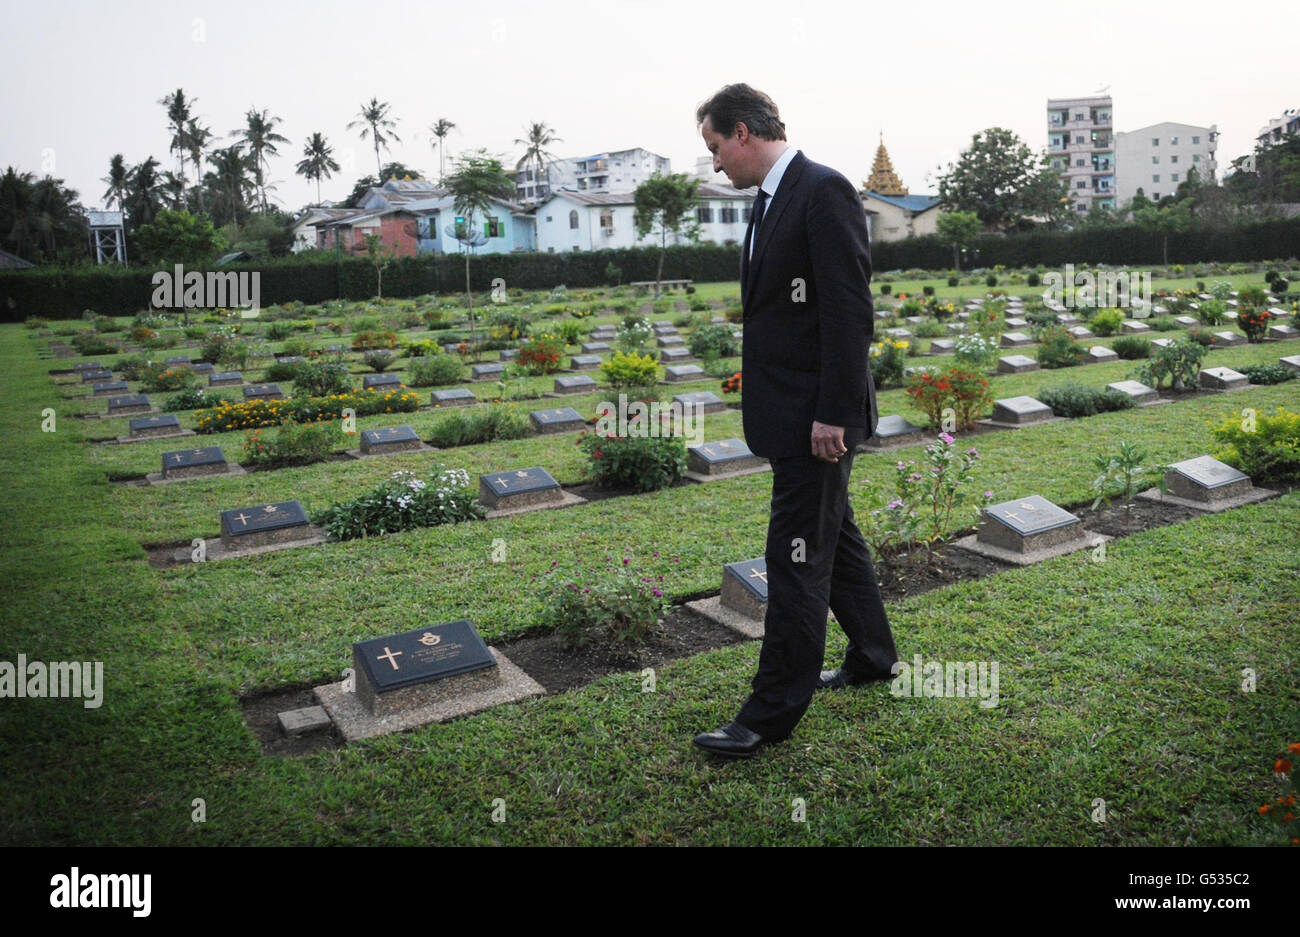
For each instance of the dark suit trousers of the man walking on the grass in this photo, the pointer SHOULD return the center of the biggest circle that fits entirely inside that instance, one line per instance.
(811, 504)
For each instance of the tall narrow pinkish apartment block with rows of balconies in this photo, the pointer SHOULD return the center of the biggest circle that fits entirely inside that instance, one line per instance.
(1081, 146)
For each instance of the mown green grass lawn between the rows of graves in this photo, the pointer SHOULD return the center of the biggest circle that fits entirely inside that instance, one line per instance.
(1119, 680)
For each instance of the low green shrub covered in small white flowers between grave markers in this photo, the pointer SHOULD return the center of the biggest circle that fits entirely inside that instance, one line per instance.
(405, 502)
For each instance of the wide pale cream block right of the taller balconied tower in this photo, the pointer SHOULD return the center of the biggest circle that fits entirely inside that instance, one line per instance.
(1159, 159)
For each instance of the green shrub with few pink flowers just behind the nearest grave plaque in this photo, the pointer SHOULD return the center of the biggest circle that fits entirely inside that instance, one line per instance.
(614, 605)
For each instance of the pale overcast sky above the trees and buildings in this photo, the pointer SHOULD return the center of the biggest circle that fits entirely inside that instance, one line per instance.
(84, 79)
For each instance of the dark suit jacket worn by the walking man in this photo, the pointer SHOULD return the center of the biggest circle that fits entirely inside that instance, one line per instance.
(805, 357)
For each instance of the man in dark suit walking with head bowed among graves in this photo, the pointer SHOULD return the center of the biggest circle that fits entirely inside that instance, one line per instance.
(809, 401)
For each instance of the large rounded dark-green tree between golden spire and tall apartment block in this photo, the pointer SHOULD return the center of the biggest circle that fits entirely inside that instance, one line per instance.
(1002, 181)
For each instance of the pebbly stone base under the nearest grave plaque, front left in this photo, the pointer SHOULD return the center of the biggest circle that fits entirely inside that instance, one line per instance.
(354, 722)
